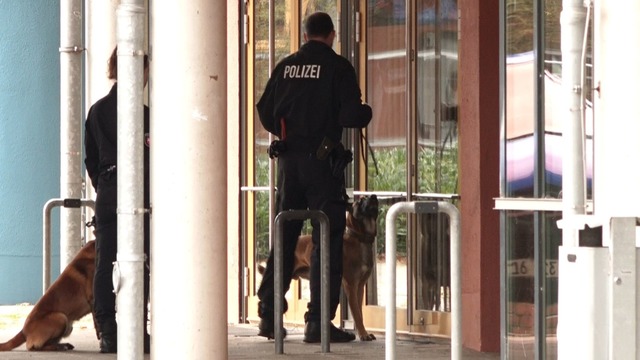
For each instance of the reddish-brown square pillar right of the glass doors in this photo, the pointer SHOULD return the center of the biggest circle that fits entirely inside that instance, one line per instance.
(479, 172)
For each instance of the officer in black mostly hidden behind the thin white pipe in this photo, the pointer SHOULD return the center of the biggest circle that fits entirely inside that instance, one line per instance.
(101, 161)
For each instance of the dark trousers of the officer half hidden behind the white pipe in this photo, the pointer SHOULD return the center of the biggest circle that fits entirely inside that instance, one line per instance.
(104, 307)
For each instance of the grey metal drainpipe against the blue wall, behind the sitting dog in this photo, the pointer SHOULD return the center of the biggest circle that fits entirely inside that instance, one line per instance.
(70, 126)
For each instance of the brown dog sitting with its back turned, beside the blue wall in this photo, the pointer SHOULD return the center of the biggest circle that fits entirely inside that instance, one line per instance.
(67, 300)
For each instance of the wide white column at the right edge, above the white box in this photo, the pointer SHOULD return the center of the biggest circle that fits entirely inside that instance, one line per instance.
(617, 124)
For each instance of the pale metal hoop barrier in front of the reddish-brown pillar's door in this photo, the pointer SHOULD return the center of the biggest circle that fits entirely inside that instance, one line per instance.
(423, 207)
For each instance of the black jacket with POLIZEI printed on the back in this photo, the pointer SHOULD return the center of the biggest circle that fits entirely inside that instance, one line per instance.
(317, 94)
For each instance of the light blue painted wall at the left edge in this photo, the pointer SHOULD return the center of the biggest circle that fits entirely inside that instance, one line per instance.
(29, 142)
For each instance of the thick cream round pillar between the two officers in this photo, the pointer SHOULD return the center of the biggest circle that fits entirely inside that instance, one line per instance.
(188, 87)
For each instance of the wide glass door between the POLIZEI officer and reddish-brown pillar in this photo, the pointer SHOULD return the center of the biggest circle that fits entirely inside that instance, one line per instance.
(412, 87)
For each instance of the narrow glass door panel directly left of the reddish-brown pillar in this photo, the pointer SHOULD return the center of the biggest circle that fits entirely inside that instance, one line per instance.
(437, 115)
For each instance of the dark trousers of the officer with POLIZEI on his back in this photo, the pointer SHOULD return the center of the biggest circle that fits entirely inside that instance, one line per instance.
(305, 182)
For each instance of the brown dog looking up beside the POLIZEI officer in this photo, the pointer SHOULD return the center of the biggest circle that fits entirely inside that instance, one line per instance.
(357, 256)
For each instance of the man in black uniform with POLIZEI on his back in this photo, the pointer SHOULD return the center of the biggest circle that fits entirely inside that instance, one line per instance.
(311, 96)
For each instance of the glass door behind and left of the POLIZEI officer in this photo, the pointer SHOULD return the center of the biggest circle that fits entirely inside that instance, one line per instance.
(288, 18)
